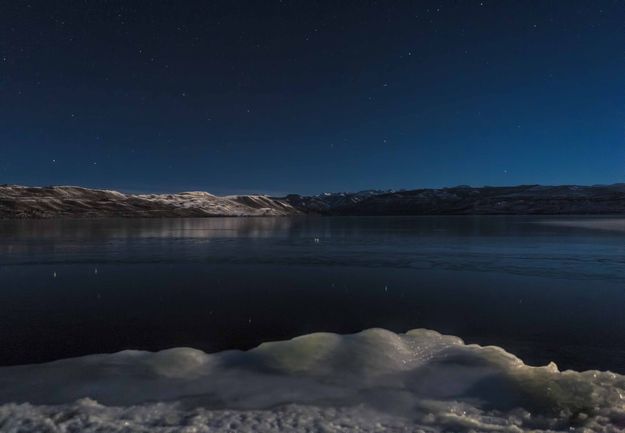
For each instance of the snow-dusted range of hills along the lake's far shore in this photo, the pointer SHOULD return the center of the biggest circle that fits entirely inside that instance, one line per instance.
(69, 201)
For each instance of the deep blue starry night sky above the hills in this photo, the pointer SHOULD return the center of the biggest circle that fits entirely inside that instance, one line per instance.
(310, 96)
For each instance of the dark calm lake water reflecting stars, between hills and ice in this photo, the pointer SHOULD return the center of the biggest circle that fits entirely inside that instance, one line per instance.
(544, 288)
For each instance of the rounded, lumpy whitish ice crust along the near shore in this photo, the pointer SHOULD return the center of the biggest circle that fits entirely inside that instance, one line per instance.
(371, 381)
